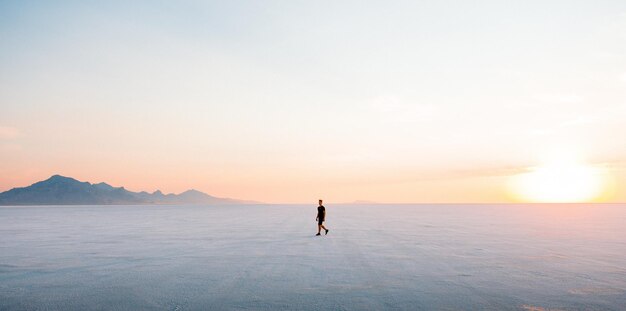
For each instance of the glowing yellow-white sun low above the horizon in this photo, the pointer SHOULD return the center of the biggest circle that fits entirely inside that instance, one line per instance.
(560, 179)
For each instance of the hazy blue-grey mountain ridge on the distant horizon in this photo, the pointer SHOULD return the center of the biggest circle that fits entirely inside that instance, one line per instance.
(60, 190)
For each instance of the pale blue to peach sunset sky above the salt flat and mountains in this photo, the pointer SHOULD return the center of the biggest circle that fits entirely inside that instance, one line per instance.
(291, 101)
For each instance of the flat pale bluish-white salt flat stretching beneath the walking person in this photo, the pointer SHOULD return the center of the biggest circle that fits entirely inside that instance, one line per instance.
(266, 257)
